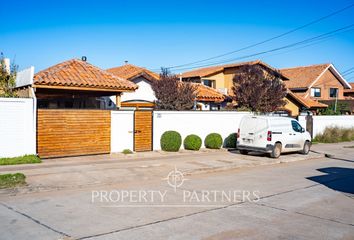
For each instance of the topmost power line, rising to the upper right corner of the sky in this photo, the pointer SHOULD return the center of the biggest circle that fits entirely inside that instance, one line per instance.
(267, 40)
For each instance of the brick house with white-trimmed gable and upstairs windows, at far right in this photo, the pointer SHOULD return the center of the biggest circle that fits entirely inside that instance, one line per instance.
(319, 85)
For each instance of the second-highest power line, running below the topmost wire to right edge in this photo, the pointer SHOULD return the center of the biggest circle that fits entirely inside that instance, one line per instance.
(306, 41)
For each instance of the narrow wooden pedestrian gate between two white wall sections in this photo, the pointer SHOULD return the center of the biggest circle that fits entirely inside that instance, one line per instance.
(142, 131)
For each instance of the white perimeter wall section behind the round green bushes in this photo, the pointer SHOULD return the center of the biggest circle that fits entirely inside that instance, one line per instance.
(195, 122)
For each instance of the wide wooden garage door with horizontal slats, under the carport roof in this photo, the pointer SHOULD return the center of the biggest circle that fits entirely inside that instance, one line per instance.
(73, 132)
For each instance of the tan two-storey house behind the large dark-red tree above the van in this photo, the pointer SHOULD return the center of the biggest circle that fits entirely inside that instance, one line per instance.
(221, 77)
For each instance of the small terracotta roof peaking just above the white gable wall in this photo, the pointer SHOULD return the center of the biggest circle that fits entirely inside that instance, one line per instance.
(129, 72)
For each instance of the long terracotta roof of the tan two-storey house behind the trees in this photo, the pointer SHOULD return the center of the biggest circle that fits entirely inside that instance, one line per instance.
(204, 72)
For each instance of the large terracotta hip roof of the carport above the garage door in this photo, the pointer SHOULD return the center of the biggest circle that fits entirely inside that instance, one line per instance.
(77, 73)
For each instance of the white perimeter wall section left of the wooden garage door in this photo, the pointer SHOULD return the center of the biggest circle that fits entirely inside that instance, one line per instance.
(17, 127)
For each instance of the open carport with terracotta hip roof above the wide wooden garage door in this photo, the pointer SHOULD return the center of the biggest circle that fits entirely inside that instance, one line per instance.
(76, 84)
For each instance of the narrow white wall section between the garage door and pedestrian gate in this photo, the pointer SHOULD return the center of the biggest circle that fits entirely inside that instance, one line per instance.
(122, 127)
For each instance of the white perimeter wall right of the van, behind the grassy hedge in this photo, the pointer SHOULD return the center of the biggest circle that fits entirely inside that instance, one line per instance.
(321, 122)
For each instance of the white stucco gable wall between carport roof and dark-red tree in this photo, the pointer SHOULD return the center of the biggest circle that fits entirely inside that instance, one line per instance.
(144, 92)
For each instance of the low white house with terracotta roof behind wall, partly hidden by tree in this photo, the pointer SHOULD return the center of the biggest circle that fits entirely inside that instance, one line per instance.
(144, 97)
